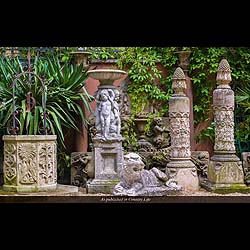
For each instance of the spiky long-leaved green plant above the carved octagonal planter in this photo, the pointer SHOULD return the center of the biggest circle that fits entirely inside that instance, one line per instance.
(65, 97)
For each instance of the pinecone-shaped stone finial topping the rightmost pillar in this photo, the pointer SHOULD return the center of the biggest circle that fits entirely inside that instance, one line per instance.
(223, 73)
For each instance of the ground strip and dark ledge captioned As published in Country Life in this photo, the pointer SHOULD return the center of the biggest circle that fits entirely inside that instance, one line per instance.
(73, 194)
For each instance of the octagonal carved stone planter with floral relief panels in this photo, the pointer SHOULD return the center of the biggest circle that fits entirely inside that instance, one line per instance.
(30, 163)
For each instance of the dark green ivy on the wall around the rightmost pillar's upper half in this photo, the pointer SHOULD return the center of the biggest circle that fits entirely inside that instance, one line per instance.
(203, 69)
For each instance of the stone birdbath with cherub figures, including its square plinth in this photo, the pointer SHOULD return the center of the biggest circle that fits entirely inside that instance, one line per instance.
(108, 154)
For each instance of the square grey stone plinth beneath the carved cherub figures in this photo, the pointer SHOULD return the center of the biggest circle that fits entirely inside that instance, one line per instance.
(107, 158)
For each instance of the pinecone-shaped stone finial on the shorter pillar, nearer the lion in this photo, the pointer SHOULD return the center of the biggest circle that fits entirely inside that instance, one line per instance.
(179, 82)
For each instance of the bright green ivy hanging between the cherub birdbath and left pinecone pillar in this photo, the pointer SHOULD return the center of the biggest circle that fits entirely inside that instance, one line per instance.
(142, 64)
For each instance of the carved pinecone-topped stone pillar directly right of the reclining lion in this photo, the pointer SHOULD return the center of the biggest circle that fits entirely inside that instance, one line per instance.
(180, 167)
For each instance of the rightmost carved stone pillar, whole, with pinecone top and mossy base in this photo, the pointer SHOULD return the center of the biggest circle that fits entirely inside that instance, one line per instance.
(225, 172)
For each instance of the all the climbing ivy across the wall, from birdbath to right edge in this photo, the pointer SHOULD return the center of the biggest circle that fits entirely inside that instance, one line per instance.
(150, 85)
